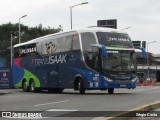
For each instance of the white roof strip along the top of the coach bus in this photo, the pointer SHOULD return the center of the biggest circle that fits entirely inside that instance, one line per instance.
(88, 29)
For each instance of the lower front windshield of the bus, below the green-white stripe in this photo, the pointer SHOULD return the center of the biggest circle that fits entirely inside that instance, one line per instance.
(119, 61)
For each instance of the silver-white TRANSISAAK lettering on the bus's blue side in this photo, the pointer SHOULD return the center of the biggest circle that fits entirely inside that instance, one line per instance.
(50, 60)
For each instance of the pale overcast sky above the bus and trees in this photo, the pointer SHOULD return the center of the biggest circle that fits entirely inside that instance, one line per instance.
(142, 16)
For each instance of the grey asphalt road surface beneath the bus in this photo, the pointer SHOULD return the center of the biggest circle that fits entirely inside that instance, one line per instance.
(70, 101)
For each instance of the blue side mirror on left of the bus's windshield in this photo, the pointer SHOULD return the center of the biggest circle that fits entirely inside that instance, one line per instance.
(102, 48)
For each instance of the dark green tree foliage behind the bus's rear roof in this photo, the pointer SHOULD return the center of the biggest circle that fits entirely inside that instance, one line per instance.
(27, 33)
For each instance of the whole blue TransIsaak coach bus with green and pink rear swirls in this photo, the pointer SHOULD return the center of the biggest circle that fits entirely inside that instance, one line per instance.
(85, 59)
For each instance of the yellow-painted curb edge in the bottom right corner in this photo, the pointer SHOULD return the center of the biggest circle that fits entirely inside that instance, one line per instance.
(145, 107)
